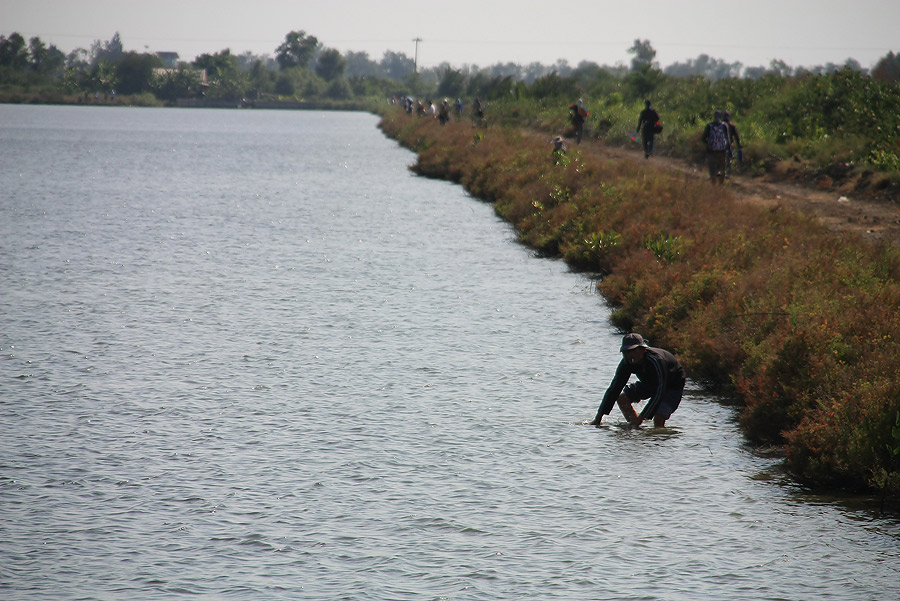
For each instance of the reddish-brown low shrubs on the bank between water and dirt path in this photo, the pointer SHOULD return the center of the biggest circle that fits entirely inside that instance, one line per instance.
(798, 322)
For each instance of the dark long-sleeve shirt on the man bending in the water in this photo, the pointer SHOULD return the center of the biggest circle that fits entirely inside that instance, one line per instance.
(659, 369)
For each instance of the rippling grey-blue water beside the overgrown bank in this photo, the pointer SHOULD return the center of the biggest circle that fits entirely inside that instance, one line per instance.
(248, 355)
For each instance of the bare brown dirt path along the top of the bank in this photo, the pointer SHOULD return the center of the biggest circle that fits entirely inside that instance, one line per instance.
(872, 219)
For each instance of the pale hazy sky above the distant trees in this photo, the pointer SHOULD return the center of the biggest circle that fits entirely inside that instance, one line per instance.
(483, 32)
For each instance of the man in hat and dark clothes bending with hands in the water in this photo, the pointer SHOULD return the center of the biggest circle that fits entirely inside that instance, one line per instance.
(660, 379)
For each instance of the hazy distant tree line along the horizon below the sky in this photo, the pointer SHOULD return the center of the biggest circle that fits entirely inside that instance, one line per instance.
(303, 68)
